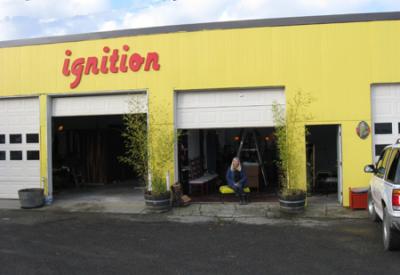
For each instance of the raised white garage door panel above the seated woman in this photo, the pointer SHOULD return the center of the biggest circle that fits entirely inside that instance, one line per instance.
(226, 109)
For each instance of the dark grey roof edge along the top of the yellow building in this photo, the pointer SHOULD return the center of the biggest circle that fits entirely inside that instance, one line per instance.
(254, 23)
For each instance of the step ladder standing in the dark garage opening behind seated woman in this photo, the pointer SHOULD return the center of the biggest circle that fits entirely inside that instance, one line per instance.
(249, 137)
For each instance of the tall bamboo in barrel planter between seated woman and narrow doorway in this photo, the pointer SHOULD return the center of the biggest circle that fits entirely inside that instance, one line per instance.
(289, 135)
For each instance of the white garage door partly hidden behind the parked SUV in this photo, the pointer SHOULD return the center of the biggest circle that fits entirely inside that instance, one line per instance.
(385, 115)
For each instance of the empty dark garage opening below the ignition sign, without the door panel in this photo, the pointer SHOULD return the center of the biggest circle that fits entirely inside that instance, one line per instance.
(86, 151)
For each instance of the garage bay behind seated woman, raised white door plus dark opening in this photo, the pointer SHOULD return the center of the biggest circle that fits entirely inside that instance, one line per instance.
(213, 123)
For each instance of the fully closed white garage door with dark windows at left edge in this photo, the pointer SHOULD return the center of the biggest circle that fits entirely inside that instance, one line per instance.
(19, 145)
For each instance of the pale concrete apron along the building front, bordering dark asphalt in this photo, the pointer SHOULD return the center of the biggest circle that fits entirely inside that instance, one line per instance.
(319, 207)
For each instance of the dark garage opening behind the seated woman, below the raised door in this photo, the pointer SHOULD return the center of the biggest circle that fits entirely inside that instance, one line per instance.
(207, 154)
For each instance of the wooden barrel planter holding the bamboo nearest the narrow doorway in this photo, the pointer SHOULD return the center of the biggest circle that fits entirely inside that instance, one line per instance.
(293, 201)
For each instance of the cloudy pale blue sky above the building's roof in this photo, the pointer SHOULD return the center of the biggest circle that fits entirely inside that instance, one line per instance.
(34, 18)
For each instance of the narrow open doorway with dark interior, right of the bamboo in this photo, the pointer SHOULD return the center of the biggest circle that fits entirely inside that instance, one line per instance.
(324, 160)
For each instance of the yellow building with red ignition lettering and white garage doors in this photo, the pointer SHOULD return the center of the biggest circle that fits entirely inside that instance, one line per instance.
(212, 80)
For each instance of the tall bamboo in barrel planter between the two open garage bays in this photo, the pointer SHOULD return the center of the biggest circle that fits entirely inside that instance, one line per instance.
(149, 151)
